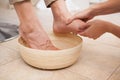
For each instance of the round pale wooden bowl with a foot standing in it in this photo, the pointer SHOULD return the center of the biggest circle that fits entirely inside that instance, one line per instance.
(69, 44)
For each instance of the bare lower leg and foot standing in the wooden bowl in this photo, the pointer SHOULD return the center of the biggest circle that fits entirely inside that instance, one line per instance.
(30, 28)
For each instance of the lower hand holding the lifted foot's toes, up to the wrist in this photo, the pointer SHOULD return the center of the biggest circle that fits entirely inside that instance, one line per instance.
(95, 29)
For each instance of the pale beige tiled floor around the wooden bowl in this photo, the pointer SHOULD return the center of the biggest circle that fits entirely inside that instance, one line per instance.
(99, 60)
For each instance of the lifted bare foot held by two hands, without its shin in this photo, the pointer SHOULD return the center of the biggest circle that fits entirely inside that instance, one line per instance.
(60, 26)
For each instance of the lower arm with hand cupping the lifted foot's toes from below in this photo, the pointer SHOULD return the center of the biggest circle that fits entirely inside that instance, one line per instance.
(97, 28)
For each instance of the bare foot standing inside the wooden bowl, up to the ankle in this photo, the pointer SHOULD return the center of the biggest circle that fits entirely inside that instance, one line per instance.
(37, 38)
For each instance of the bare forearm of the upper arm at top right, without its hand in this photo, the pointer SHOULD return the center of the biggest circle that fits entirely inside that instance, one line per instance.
(108, 7)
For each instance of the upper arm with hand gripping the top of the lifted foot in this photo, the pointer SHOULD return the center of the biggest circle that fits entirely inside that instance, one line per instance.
(108, 7)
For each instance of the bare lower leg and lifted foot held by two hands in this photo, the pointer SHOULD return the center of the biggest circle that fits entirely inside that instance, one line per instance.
(61, 14)
